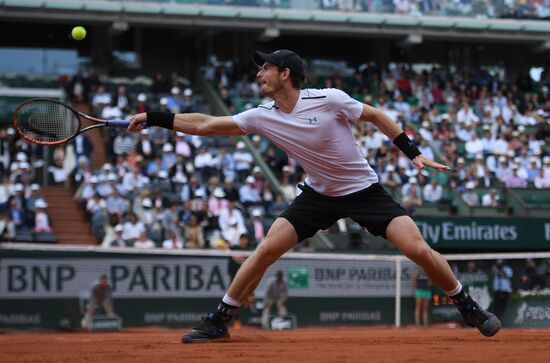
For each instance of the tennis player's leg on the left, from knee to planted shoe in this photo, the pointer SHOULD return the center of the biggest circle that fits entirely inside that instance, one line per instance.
(281, 237)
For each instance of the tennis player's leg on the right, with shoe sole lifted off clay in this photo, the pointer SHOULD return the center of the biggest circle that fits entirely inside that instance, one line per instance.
(404, 234)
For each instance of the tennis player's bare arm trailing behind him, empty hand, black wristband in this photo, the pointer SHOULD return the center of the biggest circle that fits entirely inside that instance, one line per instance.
(395, 133)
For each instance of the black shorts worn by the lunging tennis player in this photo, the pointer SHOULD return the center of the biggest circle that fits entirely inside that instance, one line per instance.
(372, 208)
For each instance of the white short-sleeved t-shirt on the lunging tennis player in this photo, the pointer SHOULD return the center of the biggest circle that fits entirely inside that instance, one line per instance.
(318, 134)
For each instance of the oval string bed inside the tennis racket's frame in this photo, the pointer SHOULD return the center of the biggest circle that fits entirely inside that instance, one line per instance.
(46, 121)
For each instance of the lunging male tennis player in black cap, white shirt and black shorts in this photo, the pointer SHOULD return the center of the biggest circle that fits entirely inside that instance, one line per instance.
(312, 126)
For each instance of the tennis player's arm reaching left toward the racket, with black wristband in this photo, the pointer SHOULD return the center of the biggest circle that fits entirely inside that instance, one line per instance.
(189, 123)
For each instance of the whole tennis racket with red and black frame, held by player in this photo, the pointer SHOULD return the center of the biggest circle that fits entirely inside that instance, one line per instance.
(49, 122)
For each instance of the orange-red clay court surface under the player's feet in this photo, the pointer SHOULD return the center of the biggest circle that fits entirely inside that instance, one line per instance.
(301, 345)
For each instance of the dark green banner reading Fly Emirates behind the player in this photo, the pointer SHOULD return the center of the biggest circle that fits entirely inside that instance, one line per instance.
(487, 234)
